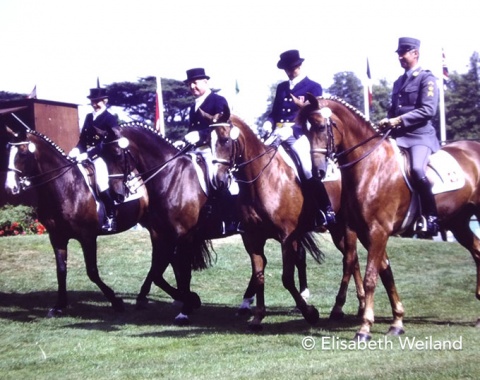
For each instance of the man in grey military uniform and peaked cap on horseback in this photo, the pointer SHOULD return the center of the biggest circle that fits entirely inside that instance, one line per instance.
(414, 104)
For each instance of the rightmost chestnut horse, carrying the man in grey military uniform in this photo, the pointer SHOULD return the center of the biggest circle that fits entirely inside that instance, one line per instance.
(377, 196)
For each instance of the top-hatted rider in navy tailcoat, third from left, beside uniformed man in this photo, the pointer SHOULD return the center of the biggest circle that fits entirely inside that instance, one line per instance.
(281, 123)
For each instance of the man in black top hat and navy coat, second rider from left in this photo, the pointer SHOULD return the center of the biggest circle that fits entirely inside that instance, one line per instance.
(199, 133)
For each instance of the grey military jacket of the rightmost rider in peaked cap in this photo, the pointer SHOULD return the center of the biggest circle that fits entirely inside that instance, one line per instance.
(416, 101)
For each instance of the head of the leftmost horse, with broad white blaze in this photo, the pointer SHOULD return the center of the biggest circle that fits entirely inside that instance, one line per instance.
(21, 162)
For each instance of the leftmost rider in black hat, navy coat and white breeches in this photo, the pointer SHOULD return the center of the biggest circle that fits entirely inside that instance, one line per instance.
(97, 128)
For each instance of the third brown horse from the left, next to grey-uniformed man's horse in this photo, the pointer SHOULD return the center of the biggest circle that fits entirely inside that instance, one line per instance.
(272, 206)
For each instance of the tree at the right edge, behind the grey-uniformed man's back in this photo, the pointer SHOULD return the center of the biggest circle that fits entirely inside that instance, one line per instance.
(462, 103)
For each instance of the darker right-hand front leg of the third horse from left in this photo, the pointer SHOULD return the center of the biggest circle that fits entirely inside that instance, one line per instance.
(290, 259)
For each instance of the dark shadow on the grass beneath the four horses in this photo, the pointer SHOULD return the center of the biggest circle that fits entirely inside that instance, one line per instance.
(90, 311)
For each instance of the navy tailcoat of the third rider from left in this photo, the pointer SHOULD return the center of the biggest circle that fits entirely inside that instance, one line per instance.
(284, 109)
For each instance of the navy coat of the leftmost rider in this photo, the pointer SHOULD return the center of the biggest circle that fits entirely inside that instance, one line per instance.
(94, 132)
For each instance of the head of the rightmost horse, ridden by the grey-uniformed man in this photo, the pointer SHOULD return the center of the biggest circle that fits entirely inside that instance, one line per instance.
(316, 122)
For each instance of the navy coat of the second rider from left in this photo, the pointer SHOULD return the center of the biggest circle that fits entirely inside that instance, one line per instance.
(213, 104)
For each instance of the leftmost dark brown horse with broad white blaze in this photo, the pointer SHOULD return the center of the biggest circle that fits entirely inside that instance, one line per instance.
(67, 206)
